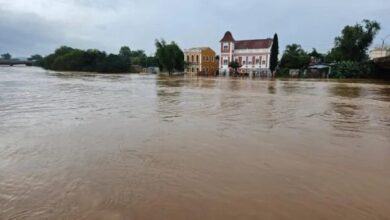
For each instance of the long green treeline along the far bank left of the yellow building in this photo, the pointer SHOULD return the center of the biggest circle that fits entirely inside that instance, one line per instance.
(169, 57)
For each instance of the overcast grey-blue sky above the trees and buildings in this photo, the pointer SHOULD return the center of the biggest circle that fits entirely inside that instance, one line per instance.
(39, 26)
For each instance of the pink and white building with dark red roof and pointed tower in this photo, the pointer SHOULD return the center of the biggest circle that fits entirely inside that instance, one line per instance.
(252, 55)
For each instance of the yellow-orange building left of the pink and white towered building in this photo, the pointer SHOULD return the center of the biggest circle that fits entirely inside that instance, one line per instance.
(201, 61)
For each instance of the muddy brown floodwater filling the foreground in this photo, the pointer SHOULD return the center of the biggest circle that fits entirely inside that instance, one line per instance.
(88, 146)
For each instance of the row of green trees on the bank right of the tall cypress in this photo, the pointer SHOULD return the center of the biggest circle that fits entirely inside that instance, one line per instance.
(348, 56)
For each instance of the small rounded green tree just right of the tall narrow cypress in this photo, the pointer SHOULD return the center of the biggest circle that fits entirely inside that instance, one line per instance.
(294, 57)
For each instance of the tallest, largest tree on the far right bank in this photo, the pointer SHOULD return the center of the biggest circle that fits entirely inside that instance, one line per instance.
(354, 41)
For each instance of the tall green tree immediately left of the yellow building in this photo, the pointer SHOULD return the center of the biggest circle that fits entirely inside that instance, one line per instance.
(170, 57)
